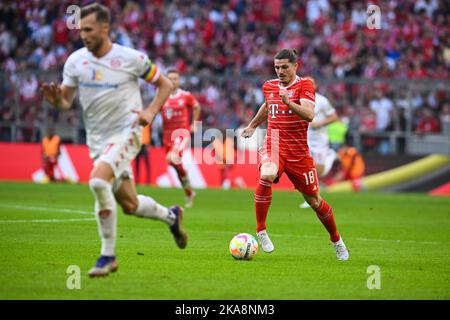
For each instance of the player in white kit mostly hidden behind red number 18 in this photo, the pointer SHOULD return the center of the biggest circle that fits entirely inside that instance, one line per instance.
(318, 142)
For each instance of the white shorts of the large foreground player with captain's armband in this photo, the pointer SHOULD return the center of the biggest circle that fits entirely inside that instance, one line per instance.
(119, 153)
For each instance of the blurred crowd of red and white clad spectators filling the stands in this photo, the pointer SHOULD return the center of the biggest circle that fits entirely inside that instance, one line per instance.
(225, 51)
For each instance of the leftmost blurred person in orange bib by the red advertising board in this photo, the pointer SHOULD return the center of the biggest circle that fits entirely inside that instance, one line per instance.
(51, 145)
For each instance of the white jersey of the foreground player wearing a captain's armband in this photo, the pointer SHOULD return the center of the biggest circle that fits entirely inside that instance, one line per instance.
(108, 90)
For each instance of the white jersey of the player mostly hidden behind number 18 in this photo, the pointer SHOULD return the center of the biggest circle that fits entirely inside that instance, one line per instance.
(319, 137)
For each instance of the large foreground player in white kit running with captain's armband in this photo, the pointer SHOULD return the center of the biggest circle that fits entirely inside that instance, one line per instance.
(107, 78)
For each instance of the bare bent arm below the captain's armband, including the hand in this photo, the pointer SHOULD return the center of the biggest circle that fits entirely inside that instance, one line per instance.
(146, 116)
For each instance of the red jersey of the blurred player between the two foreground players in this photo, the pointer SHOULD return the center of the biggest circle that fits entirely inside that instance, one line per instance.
(175, 114)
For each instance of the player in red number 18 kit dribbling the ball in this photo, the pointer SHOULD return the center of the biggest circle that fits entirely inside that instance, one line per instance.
(288, 108)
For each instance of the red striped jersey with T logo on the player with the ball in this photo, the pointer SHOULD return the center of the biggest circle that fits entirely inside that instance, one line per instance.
(292, 132)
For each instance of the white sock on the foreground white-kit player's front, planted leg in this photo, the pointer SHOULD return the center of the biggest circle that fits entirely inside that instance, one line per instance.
(106, 213)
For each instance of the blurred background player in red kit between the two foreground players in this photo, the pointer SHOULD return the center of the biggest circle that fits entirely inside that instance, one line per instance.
(175, 113)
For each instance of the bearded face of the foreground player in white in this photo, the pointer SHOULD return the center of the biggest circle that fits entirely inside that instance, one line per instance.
(93, 33)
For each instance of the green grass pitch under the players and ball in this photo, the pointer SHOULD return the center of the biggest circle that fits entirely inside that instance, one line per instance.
(43, 231)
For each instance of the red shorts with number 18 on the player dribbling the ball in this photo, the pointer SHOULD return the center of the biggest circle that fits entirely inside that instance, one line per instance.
(302, 173)
